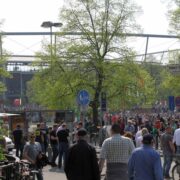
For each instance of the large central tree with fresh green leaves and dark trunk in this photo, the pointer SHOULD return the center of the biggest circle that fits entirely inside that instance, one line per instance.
(86, 60)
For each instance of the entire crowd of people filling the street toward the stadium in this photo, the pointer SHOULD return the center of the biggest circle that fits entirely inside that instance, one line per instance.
(129, 148)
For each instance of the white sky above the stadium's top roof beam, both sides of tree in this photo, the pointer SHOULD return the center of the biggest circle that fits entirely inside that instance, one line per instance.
(27, 15)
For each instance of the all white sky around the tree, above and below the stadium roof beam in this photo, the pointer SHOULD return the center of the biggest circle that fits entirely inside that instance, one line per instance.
(28, 15)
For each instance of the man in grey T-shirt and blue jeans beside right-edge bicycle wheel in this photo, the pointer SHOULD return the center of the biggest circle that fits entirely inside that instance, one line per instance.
(168, 149)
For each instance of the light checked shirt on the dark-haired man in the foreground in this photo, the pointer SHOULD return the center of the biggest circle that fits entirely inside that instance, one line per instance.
(117, 149)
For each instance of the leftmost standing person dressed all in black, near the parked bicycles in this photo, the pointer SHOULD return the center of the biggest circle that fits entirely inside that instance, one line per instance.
(18, 140)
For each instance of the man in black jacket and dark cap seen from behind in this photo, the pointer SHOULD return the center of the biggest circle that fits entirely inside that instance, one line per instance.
(81, 162)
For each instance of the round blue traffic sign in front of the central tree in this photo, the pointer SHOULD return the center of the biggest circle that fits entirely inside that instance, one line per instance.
(83, 98)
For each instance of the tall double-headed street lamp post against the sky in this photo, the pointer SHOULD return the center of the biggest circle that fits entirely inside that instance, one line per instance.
(49, 24)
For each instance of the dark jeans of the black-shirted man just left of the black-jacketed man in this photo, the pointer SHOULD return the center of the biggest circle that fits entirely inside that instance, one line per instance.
(63, 148)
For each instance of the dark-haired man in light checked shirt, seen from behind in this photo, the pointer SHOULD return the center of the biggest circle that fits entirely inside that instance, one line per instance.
(116, 150)
